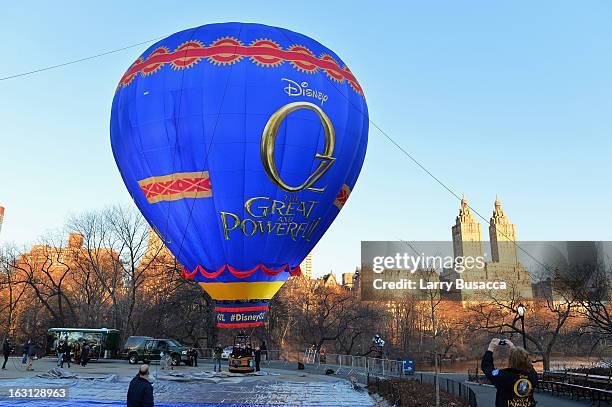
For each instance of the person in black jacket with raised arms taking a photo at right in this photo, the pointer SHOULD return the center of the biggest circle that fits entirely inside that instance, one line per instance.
(515, 385)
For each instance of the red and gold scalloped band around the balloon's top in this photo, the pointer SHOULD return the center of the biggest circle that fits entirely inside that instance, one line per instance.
(225, 51)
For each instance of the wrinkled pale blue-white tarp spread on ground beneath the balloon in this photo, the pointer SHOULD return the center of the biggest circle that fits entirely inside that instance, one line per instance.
(204, 388)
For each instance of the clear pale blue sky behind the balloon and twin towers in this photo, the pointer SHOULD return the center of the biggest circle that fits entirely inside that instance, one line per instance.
(508, 98)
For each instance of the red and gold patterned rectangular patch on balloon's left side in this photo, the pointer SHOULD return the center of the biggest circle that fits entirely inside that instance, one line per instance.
(177, 186)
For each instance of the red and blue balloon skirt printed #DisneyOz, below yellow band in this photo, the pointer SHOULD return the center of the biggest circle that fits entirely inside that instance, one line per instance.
(241, 314)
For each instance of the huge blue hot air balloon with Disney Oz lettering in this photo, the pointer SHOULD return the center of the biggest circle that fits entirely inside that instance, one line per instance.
(240, 144)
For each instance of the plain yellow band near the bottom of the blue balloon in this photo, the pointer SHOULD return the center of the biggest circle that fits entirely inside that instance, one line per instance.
(260, 290)
